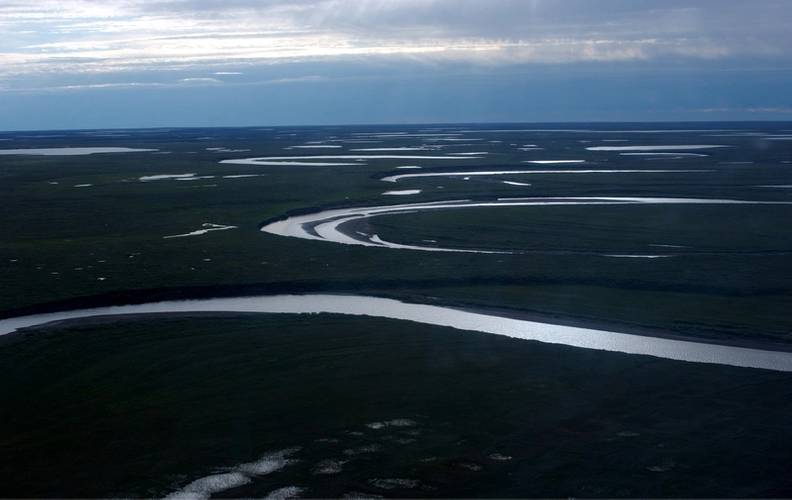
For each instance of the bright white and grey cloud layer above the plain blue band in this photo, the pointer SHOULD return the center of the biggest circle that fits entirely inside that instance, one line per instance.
(50, 38)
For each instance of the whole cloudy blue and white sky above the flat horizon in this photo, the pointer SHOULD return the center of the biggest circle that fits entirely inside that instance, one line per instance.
(153, 63)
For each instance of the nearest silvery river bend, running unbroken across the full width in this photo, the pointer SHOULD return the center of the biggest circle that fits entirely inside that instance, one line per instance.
(587, 338)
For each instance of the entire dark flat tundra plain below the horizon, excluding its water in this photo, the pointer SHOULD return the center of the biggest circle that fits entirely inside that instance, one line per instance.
(337, 405)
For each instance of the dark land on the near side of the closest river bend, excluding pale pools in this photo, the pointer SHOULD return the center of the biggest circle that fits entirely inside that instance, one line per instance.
(143, 407)
